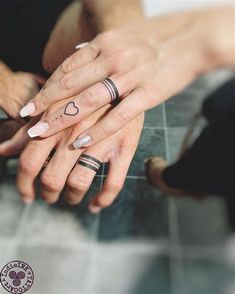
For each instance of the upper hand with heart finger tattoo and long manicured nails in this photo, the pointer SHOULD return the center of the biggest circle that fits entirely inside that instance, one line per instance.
(146, 67)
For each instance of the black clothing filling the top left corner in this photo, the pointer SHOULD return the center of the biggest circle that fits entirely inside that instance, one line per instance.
(25, 26)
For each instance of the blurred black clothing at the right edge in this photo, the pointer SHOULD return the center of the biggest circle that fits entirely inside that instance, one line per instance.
(209, 165)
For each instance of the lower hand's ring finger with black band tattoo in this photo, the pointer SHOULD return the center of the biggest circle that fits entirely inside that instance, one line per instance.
(82, 175)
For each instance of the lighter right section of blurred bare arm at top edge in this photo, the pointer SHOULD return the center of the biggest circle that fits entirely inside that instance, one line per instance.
(109, 14)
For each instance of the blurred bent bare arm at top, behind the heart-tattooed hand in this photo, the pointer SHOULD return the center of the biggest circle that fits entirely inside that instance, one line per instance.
(81, 21)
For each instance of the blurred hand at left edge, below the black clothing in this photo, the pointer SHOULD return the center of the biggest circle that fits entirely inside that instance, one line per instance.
(16, 89)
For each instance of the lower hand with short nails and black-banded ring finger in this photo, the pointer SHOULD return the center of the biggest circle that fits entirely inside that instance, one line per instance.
(118, 150)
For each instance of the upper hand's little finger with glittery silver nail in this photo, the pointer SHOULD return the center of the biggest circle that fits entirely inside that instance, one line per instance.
(130, 107)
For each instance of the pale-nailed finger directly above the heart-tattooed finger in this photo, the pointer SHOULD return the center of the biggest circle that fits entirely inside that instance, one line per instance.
(68, 85)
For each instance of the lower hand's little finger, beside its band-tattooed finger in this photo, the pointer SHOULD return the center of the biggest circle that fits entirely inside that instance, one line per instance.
(118, 168)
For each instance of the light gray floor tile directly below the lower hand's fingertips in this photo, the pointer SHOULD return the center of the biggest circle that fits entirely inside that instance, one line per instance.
(40, 222)
